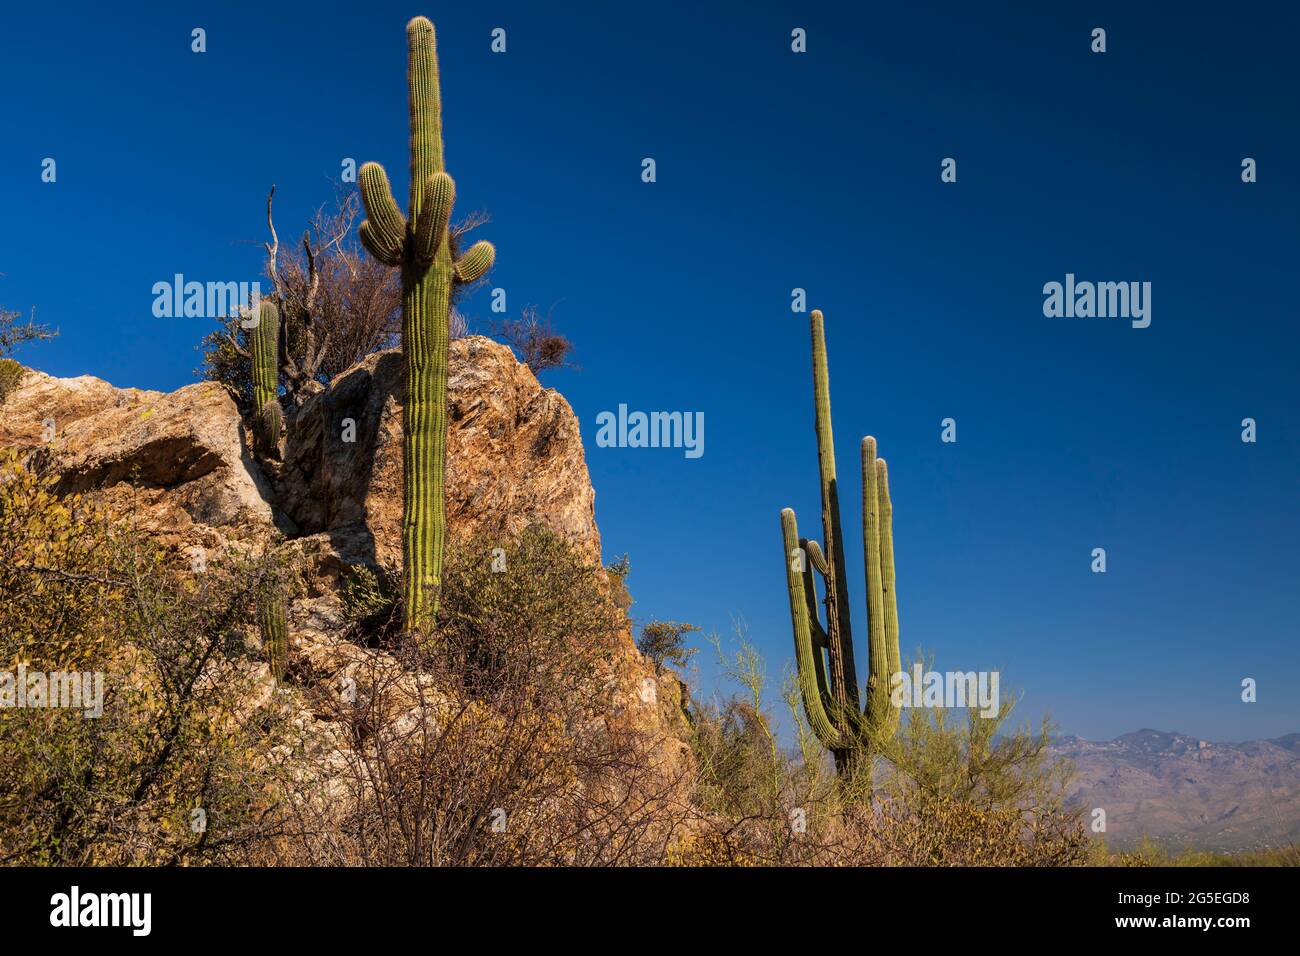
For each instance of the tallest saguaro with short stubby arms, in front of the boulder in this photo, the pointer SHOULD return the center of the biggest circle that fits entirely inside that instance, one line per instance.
(422, 245)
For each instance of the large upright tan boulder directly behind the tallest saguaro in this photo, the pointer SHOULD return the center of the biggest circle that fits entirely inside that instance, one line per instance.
(514, 456)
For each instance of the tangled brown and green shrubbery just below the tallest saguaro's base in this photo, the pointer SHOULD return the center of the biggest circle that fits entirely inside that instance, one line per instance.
(504, 742)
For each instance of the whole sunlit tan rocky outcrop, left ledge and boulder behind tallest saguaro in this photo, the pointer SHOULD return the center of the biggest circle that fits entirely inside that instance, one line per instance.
(183, 464)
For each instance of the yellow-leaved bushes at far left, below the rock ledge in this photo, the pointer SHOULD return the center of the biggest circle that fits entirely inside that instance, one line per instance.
(81, 591)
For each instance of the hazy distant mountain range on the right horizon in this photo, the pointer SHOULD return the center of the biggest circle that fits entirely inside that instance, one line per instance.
(1190, 793)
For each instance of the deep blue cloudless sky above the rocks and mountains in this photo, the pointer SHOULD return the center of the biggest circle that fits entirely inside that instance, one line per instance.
(775, 171)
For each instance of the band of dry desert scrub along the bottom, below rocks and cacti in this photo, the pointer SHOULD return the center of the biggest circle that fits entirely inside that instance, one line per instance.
(505, 742)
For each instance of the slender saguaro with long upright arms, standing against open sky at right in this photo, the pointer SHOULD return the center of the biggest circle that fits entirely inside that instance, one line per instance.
(829, 682)
